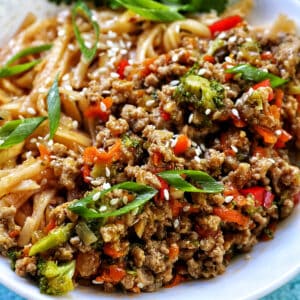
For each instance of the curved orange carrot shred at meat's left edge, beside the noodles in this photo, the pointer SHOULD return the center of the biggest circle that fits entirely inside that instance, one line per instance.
(92, 155)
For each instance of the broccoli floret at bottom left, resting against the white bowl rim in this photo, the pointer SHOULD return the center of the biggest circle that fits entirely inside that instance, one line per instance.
(54, 279)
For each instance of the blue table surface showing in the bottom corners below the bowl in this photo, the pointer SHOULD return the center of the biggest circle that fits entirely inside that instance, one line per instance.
(290, 291)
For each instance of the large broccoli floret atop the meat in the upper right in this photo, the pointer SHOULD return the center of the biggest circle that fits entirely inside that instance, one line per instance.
(200, 92)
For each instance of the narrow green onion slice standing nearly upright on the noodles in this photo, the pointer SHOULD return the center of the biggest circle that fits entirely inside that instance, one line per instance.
(53, 104)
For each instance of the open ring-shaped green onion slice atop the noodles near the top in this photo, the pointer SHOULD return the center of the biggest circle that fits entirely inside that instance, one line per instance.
(82, 9)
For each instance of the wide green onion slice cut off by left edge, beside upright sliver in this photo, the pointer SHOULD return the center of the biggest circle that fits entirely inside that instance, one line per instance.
(15, 132)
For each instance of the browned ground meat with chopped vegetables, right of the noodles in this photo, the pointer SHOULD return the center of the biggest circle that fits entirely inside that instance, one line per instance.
(188, 166)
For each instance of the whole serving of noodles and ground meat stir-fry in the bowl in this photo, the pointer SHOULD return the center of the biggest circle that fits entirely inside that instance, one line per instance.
(137, 155)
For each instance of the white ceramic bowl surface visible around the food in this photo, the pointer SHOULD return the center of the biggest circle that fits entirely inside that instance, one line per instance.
(272, 263)
